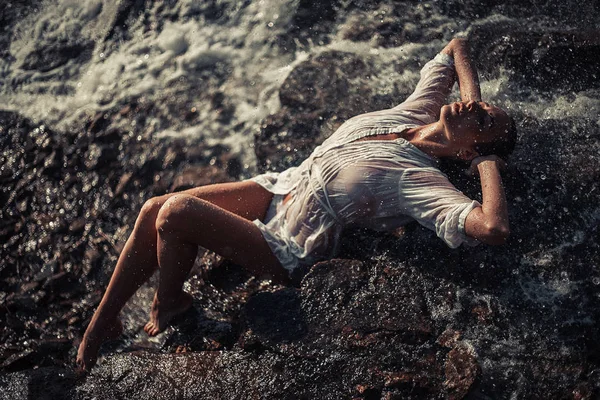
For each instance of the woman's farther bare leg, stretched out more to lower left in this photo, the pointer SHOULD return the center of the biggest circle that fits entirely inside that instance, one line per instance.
(138, 260)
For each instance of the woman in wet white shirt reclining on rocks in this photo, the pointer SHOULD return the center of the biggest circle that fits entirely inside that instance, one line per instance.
(377, 170)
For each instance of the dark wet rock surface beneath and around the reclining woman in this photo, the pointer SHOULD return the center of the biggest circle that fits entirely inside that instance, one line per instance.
(395, 316)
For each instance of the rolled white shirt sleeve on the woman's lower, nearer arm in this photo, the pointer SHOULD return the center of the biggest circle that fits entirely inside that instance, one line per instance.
(427, 195)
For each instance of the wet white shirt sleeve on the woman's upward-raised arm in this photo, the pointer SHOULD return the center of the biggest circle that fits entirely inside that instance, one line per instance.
(437, 79)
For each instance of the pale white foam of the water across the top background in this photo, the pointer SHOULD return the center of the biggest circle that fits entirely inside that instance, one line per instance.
(242, 47)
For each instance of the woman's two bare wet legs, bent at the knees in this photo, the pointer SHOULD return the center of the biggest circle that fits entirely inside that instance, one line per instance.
(167, 234)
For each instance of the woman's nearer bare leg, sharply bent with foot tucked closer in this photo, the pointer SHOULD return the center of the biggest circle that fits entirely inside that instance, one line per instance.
(185, 222)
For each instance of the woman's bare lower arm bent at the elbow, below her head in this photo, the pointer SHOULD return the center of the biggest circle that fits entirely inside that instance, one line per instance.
(489, 223)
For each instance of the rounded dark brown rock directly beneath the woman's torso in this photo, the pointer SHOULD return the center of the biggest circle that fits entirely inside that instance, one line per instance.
(341, 299)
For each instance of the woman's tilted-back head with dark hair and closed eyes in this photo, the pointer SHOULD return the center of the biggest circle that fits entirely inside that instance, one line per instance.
(469, 123)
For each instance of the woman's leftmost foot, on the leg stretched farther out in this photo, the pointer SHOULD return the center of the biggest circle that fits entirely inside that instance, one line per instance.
(94, 336)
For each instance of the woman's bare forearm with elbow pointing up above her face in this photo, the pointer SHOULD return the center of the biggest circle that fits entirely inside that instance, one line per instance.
(468, 81)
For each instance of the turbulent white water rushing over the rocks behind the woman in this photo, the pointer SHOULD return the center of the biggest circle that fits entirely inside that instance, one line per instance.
(176, 54)
